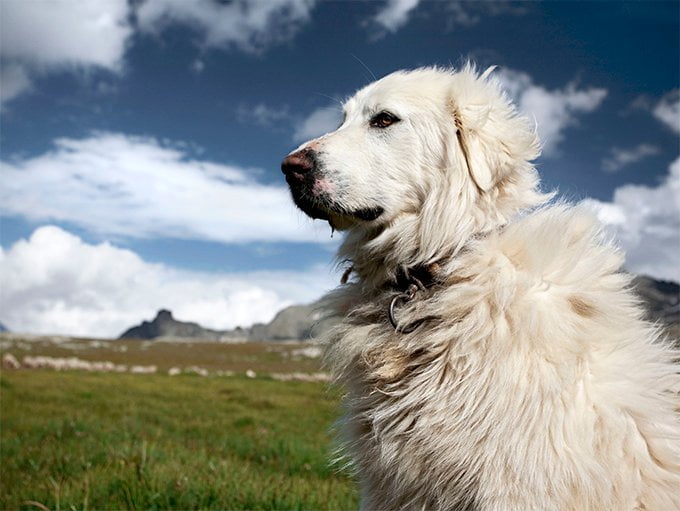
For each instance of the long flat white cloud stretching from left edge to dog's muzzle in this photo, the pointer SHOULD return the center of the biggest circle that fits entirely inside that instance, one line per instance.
(132, 186)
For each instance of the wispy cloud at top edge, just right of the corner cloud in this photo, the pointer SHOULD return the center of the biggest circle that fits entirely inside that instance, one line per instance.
(249, 25)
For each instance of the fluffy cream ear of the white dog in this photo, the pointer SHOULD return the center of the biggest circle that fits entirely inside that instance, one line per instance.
(493, 139)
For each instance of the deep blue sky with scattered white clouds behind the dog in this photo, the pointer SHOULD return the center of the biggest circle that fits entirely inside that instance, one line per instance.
(141, 142)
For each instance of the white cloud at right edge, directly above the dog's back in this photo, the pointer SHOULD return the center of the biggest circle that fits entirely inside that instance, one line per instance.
(646, 222)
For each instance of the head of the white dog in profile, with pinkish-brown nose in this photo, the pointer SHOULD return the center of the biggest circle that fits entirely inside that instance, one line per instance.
(408, 137)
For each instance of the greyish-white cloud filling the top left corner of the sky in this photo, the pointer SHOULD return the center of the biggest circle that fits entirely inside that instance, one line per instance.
(39, 36)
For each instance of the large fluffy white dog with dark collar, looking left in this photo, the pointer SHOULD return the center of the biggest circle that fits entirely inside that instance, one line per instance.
(494, 357)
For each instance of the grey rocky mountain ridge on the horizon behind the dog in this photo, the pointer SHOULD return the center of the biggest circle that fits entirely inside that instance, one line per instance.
(304, 322)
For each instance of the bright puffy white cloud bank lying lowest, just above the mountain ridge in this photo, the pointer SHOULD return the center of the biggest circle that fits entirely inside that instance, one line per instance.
(54, 283)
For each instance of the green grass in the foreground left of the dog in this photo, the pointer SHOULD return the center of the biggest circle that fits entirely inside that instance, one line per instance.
(82, 441)
